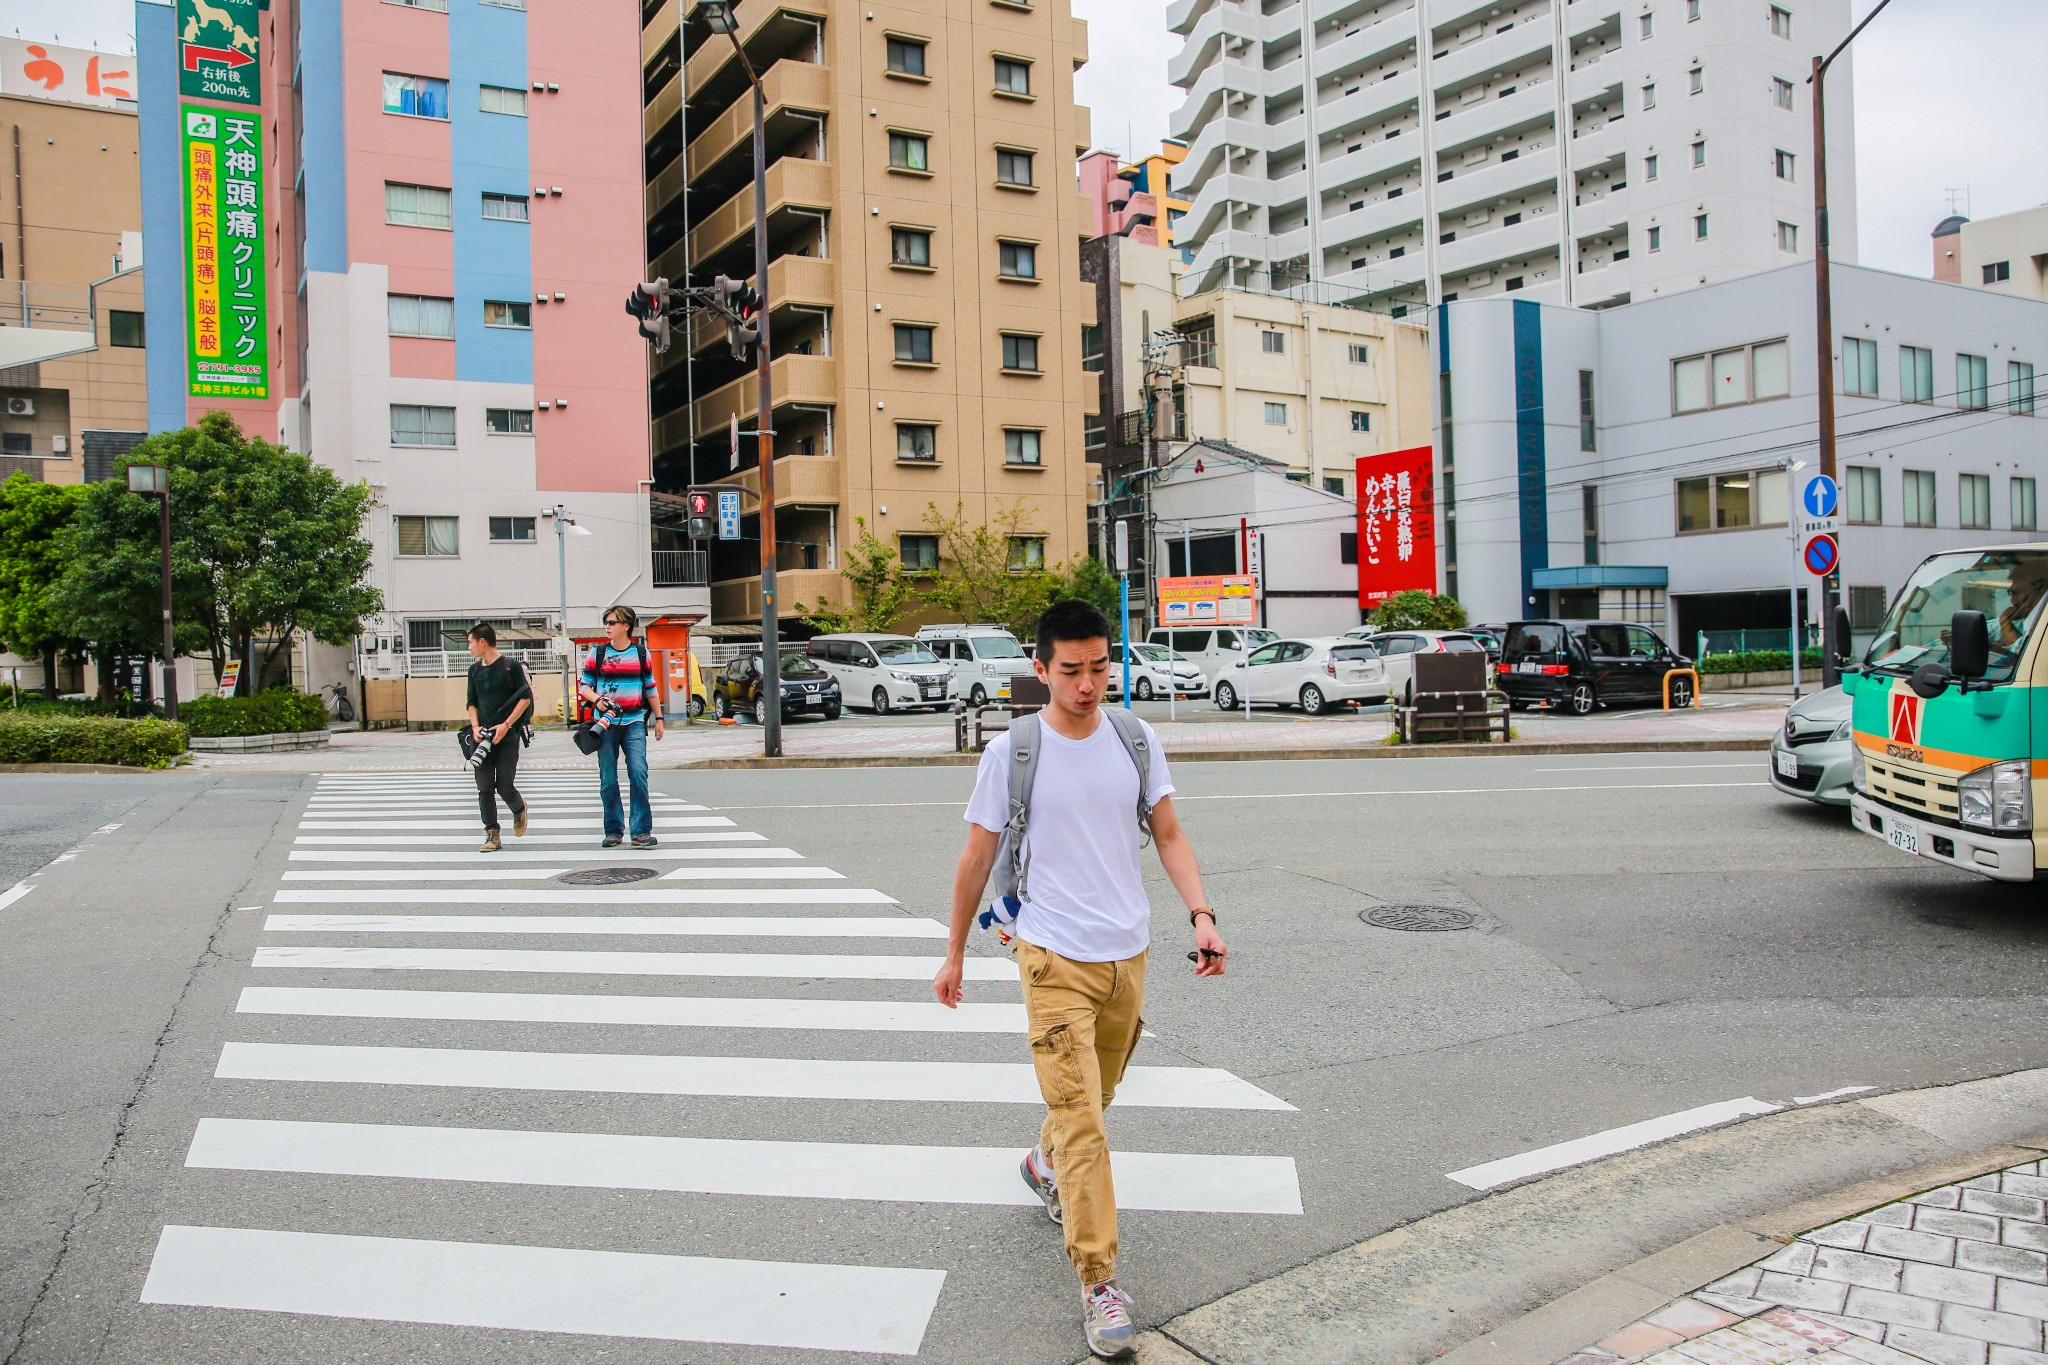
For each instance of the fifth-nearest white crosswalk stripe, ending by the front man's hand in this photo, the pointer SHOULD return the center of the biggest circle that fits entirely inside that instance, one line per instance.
(562, 963)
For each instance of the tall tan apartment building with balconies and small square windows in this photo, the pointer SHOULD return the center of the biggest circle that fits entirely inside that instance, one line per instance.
(927, 306)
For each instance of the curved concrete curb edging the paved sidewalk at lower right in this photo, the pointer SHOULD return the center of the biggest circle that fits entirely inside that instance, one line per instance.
(1531, 1274)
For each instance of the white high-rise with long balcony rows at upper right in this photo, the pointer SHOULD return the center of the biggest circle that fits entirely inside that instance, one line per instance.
(1588, 152)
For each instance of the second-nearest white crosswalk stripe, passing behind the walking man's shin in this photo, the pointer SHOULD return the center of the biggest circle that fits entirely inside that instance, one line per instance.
(1172, 1182)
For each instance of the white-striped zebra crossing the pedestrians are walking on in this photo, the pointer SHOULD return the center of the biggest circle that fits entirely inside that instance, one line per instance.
(404, 979)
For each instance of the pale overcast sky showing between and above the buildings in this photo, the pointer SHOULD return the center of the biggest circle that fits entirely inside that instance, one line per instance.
(1949, 95)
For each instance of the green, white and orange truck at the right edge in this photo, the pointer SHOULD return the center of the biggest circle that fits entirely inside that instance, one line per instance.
(1953, 715)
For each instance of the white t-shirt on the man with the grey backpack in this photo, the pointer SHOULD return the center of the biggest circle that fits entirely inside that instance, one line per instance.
(1082, 844)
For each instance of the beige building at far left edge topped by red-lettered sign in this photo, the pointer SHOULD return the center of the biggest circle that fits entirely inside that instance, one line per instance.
(73, 388)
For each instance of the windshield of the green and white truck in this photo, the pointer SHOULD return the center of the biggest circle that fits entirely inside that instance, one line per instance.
(2006, 586)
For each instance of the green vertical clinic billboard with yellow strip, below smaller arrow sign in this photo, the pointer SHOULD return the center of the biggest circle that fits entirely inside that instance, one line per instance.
(226, 300)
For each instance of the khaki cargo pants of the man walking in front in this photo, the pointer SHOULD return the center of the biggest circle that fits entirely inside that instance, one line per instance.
(1084, 1026)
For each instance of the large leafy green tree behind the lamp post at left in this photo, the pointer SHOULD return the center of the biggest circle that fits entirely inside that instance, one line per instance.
(263, 543)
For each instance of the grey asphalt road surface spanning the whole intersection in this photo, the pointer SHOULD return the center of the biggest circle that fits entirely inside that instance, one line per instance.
(1654, 934)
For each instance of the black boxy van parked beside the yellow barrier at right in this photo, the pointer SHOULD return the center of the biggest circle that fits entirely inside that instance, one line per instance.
(1584, 664)
